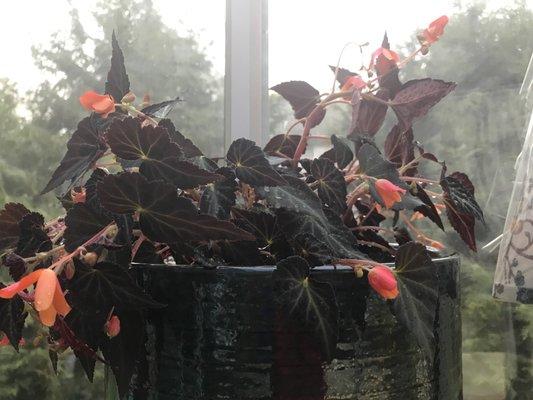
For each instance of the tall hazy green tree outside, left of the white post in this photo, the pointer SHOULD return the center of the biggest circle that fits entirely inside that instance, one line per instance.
(159, 62)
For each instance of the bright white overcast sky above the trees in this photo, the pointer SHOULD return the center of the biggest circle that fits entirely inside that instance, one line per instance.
(304, 35)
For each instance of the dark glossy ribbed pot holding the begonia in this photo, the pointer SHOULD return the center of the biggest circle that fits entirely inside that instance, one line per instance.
(219, 338)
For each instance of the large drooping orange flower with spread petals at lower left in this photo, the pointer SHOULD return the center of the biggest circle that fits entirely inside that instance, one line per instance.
(49, 299)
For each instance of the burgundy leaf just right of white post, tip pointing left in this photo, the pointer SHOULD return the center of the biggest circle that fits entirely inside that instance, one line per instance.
(302, 97)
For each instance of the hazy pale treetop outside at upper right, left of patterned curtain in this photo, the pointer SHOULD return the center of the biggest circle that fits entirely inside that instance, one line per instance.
(479, 128)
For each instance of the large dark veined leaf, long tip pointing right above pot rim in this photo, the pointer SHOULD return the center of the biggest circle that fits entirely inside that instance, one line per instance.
(163, 216)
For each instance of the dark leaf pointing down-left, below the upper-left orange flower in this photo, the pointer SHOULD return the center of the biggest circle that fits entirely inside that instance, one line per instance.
(83, 149)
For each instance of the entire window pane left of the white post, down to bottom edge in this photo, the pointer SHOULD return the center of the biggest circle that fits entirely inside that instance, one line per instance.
(52, 52)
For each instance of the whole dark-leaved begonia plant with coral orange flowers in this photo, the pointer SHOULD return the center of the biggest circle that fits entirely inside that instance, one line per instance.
(138, 191)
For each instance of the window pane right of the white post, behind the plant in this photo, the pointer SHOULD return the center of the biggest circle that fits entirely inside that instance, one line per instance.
(478, 129)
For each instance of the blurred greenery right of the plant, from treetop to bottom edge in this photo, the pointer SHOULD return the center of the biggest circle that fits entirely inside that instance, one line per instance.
(479, 129)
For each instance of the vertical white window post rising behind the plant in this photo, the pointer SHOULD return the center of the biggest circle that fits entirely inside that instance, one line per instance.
(246, 79)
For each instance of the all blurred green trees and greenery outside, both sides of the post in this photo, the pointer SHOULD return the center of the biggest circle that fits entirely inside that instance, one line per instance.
(478, 129)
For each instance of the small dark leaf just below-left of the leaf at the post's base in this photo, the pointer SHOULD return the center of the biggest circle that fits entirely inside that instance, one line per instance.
(218, 198)
